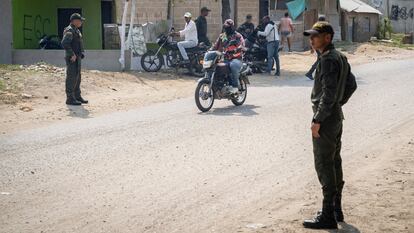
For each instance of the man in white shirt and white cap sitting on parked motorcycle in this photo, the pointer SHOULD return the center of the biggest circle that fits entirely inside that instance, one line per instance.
(190, 37)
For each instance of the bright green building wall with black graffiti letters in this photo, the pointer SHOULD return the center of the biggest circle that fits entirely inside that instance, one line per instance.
(34, 18)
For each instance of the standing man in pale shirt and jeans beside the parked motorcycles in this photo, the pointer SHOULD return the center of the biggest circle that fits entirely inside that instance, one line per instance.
(271, 33)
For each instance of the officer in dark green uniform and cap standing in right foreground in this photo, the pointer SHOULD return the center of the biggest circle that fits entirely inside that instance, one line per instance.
(334, 84)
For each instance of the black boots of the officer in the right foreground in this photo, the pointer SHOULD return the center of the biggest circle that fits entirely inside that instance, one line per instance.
(324, 219)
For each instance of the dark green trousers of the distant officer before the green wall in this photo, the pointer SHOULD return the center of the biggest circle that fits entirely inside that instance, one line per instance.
(73, 78)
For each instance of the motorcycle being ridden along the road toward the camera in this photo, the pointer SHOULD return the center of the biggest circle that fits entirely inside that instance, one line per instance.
(216, 82)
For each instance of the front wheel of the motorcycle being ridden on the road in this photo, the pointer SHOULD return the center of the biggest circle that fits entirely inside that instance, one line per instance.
(204, 97)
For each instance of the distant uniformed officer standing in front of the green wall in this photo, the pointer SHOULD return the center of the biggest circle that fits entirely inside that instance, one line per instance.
(74, 53)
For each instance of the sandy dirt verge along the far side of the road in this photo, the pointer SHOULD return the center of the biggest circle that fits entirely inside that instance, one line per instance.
(34, 96)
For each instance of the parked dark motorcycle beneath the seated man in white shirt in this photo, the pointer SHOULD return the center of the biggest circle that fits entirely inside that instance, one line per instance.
(152, 61)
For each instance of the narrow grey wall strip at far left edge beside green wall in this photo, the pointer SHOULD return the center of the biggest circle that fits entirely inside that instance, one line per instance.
(6, 32)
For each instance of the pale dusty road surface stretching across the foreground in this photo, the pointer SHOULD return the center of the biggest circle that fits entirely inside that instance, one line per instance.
(168, 168)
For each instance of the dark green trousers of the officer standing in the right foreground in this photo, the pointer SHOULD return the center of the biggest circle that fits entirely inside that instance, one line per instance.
(327, 154)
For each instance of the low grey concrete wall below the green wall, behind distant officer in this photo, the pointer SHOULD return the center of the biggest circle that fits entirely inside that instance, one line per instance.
(106, 60)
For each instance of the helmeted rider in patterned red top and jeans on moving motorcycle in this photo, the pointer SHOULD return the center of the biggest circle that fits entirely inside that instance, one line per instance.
(231, 43)
